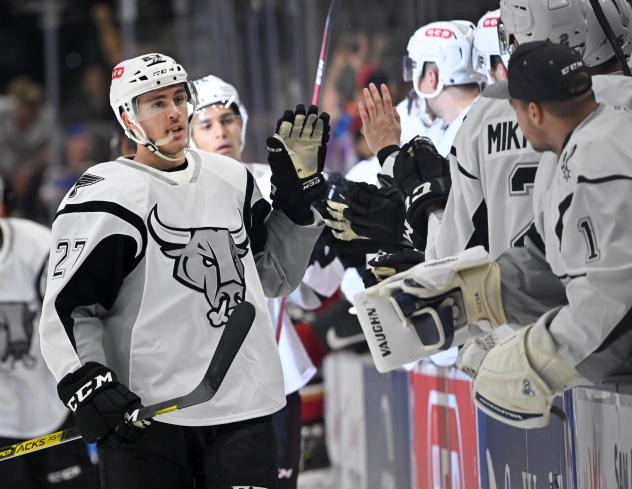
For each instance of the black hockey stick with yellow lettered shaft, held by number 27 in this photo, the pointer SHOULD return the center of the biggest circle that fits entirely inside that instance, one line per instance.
(230, 342)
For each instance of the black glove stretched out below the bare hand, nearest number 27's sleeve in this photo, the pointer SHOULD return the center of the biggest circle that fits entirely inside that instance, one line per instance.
(377, 213)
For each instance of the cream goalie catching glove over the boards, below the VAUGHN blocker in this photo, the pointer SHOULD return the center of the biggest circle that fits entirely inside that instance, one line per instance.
(519, 378)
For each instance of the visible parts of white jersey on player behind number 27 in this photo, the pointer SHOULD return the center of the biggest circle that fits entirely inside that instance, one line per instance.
(298, 369)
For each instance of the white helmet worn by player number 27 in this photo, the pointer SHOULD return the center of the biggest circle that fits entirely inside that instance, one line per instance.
(136, 76)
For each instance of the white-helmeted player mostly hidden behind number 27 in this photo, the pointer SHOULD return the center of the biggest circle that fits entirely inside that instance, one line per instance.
(220, 126)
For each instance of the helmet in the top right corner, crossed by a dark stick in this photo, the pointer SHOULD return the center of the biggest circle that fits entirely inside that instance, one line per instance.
(619, 15)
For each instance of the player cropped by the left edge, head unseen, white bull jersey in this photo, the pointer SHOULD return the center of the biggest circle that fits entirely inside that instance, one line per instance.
(30, 407)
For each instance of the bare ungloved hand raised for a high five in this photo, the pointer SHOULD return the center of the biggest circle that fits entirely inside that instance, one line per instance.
(379, 118)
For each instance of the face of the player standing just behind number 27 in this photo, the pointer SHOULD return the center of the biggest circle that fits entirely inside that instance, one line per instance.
(218, 129)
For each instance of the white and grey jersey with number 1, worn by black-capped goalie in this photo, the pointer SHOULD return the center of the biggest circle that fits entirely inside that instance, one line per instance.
(582, 208)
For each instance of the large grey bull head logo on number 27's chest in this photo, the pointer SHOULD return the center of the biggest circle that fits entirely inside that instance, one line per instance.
(206, 260)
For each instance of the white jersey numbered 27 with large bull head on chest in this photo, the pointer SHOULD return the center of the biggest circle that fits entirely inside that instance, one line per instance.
(145, 268)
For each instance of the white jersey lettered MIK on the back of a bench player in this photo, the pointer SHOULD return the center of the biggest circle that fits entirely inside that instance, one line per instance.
(493, 169)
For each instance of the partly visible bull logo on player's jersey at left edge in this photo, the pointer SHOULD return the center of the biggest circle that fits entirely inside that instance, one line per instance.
(16, 335)
